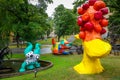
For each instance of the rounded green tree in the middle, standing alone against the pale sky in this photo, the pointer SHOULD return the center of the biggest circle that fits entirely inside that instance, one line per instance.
(64, 20)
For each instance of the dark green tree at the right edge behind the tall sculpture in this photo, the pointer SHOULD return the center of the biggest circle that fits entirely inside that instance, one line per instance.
(114, 19)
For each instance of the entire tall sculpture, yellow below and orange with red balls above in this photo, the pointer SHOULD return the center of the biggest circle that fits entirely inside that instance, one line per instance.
(92, 23)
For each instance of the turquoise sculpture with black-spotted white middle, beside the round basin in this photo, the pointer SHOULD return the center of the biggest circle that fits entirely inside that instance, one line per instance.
(32, 57)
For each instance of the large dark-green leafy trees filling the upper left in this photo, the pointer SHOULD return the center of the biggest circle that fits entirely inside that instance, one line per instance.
(22, 17)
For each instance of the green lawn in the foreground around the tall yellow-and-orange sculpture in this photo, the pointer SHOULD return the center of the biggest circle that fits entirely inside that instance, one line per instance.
(63, 69)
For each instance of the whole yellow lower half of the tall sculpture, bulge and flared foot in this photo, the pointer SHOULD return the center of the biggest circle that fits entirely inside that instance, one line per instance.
(93, 50)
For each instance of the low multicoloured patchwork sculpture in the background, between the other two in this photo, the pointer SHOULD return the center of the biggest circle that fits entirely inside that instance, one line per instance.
(61, 47)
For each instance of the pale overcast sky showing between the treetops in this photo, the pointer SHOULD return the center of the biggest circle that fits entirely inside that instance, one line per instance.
(66, 3)
